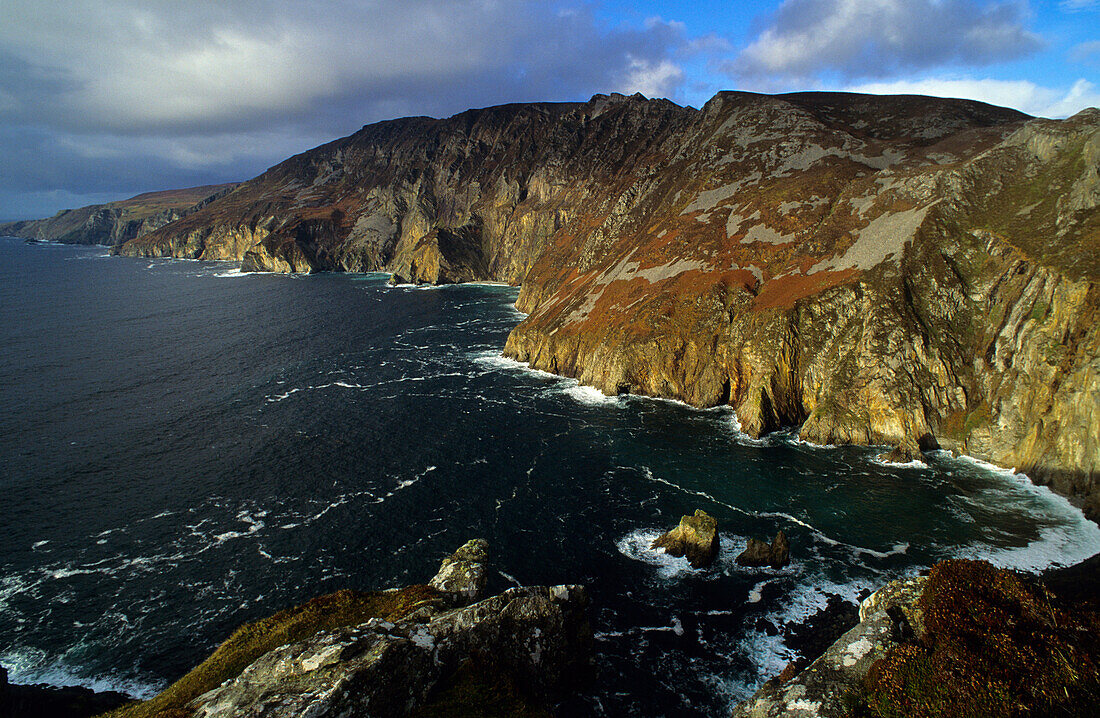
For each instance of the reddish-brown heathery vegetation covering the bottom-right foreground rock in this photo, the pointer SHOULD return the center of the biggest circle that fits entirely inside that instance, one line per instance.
(996, 645)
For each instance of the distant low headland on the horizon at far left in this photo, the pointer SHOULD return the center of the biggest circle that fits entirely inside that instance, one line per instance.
(117, 223)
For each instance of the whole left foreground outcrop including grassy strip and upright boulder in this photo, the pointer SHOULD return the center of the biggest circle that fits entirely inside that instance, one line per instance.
(423, 650)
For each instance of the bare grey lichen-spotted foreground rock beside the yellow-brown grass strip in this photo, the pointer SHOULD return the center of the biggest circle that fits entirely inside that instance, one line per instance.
(536, 638)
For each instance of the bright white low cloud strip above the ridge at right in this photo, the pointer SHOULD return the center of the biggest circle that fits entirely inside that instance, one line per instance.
(1021, 95)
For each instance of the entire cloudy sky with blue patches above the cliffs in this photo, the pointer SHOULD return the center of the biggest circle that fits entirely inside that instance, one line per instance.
(104, 100)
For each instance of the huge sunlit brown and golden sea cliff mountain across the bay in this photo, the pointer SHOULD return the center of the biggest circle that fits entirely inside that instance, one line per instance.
(904, 271)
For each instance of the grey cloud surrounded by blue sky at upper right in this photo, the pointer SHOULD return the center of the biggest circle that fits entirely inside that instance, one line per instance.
(866, 39)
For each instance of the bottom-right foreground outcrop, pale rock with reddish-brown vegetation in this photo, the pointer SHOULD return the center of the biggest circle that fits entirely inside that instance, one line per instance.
(967, 639)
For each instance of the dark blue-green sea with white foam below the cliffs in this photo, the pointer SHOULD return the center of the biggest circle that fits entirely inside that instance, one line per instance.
(184, 449)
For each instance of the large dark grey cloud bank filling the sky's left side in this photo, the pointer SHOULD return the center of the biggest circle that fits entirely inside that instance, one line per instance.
(129, 96)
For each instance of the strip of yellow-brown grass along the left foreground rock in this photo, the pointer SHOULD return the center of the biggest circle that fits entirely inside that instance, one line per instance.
(252, 640)
